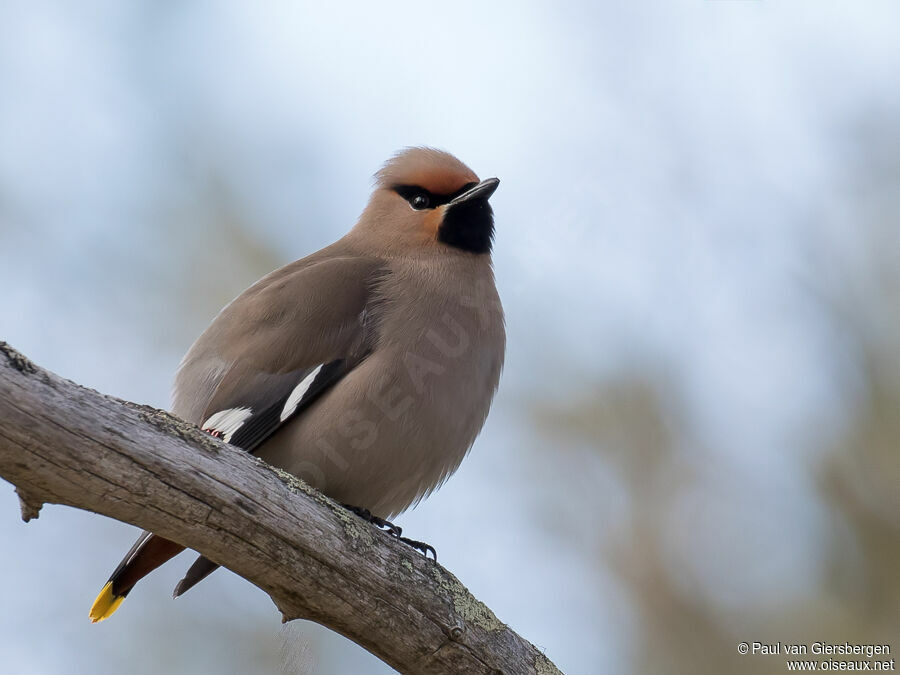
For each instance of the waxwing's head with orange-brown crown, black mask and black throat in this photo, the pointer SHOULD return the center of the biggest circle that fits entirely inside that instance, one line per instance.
(426, 197)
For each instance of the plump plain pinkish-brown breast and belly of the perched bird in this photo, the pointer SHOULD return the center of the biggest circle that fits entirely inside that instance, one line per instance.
(401, 422)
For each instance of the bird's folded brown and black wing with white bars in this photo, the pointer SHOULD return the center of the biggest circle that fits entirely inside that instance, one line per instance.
(277, 347)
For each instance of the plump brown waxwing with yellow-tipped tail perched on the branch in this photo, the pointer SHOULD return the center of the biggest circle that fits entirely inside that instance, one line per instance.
(367, 368)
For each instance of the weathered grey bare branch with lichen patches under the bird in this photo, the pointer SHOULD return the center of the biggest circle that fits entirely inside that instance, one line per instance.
(62, 443)
